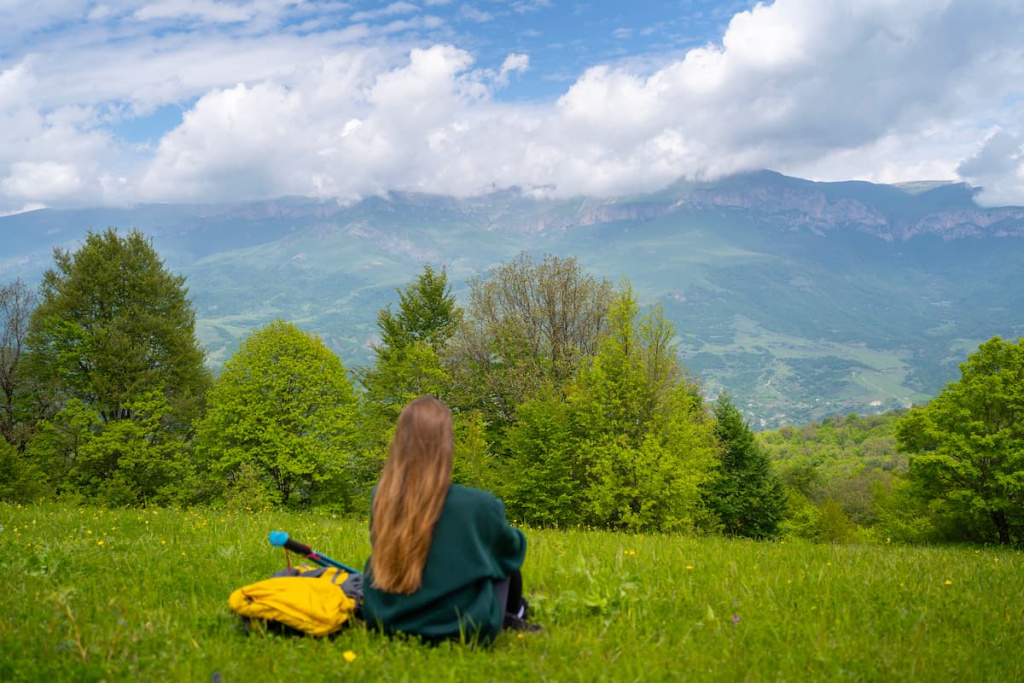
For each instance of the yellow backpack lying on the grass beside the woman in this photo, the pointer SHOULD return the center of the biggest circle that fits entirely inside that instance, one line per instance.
(314, 601)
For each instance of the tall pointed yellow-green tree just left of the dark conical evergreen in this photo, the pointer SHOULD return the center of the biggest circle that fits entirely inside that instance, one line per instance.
(644, 434)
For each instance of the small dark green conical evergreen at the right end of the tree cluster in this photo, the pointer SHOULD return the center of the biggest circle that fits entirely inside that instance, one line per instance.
(748, 496)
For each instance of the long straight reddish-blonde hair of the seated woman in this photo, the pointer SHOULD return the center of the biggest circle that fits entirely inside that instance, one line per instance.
(411, 494)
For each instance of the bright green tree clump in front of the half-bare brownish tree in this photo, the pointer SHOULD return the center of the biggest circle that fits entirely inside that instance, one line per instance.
(630, 447)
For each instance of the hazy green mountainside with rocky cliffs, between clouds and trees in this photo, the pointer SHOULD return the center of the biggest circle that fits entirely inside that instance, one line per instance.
(802, 300)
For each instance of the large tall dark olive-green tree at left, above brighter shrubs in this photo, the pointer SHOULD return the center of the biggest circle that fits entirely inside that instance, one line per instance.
(114, 325)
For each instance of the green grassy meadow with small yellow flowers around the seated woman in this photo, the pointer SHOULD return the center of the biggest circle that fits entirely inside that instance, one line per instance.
(90, 594)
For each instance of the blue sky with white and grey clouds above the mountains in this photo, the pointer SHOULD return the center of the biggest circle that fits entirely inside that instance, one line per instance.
(167, 101)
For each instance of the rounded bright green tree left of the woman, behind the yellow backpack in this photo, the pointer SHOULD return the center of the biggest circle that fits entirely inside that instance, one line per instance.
(283, 411)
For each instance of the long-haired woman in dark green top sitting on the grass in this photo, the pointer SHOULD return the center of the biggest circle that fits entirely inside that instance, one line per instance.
(445, 563)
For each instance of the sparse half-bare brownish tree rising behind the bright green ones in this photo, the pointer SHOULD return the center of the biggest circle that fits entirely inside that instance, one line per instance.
(528, 326)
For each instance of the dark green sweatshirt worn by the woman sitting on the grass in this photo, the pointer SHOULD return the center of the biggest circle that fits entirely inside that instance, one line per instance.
(473, 547)
